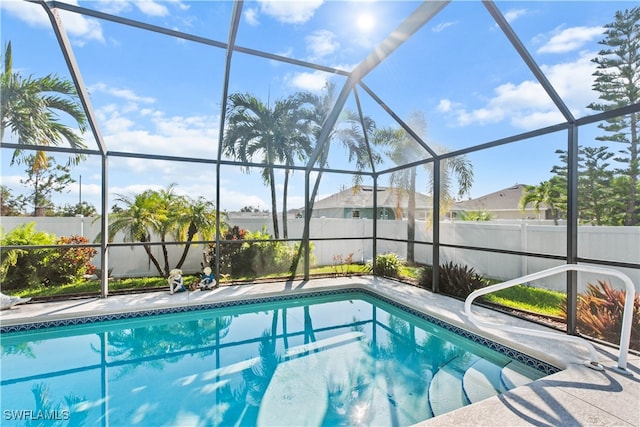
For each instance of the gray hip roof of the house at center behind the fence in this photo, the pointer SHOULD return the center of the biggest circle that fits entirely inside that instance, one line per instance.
(362, 197)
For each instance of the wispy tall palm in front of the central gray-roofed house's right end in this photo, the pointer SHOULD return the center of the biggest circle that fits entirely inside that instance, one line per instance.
(403, 149)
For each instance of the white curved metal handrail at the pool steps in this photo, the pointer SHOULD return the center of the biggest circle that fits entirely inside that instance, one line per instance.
(625, 334)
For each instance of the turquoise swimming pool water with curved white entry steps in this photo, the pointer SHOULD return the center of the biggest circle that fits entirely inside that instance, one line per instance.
(328, 358)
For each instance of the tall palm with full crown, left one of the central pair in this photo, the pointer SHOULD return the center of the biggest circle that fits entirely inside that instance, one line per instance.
(254, 129)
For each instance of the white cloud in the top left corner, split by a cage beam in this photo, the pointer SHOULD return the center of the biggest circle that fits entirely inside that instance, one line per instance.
(79, 28)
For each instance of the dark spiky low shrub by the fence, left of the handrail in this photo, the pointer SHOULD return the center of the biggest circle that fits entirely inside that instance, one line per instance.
(456, 280)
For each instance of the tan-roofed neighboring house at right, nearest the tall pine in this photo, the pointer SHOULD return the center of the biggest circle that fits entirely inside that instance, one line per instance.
(503, 204)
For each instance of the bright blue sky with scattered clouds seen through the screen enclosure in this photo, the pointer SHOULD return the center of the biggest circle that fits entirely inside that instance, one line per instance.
(156, 94)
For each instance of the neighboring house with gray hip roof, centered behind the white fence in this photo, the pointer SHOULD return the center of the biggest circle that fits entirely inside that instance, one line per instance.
(357, 202)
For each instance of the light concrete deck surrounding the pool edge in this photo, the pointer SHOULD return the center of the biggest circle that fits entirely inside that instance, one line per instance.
(575, 396)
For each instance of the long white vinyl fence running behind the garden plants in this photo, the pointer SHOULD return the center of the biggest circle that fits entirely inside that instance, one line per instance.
(620, 244)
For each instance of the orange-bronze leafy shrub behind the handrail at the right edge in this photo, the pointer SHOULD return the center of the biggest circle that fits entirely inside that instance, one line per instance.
(600, 312)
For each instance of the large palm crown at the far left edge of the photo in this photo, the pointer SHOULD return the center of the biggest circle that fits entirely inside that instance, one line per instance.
(29, 108)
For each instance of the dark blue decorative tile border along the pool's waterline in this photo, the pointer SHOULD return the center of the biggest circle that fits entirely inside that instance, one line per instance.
(530, 361)
